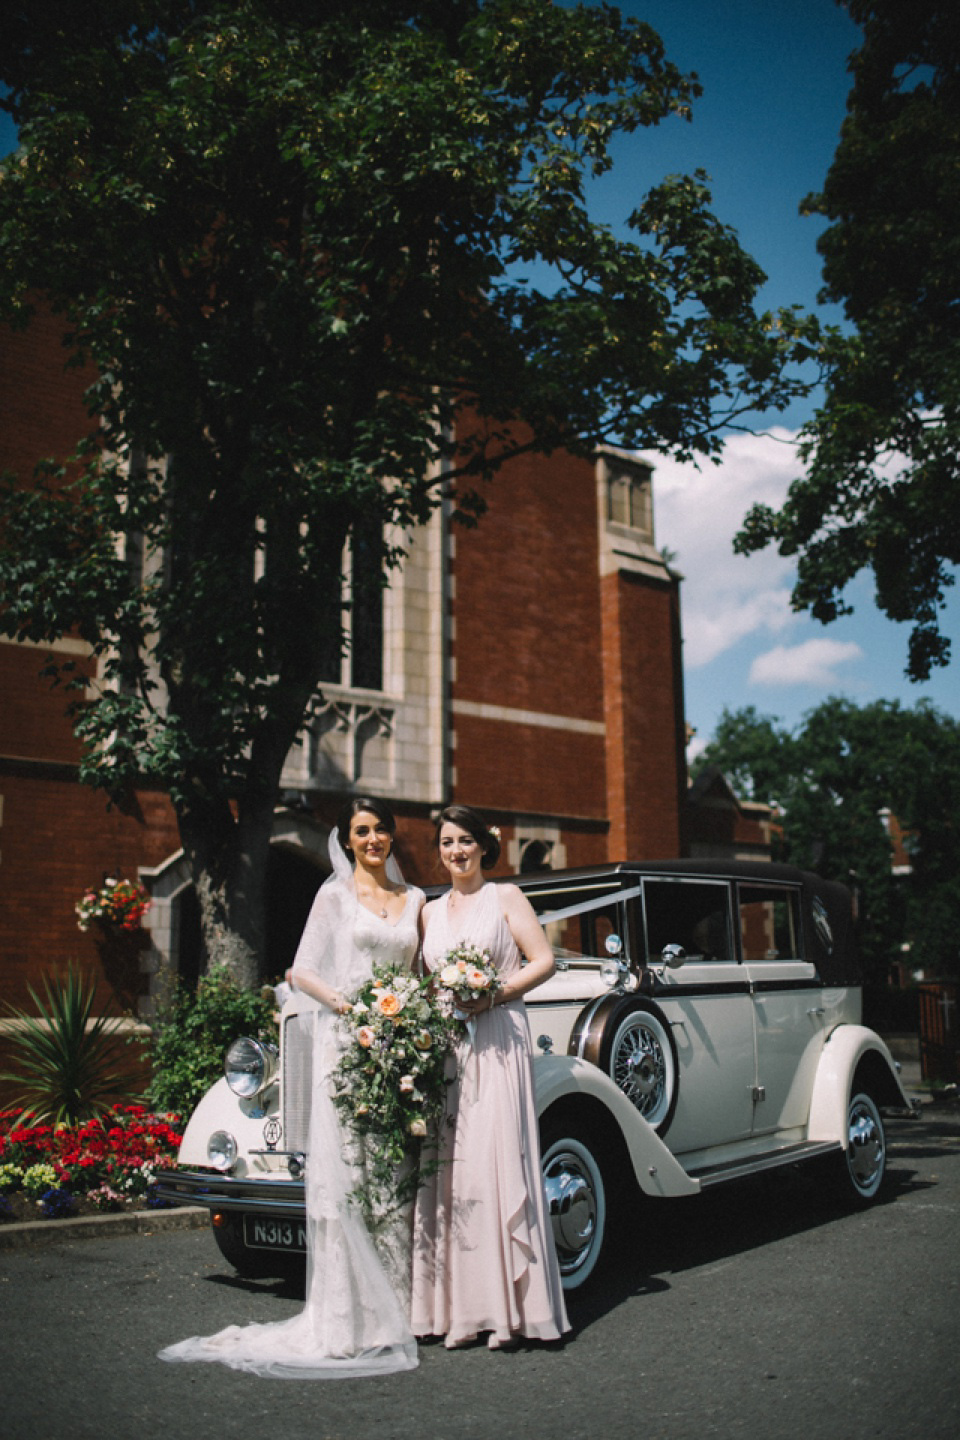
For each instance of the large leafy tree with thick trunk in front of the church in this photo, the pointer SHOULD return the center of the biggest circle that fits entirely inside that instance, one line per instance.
(289, 238)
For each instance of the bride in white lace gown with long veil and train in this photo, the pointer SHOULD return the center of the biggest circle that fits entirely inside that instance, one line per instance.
(358, 1291)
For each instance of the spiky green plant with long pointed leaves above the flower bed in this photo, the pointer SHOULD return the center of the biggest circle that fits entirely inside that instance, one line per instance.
(64, 1055)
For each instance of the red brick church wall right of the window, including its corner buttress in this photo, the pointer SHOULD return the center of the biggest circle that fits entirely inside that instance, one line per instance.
(538, 630)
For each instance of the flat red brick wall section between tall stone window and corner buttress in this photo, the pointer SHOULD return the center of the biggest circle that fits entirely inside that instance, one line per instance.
(526, 620)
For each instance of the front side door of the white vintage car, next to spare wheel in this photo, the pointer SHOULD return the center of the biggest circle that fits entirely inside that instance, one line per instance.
(709, 1007)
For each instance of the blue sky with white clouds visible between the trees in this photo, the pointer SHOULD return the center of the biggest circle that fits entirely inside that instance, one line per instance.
(775, 90)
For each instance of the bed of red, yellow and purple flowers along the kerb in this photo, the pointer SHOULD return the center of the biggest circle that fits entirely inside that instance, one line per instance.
(101, 1166)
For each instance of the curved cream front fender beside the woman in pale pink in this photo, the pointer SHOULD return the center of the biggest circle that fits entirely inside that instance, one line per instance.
(563, 1081)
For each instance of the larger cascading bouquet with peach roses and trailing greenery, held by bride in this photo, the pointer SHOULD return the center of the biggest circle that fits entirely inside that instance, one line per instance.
(391, 1082)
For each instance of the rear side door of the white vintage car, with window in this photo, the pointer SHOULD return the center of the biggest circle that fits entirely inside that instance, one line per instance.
(788, 1004)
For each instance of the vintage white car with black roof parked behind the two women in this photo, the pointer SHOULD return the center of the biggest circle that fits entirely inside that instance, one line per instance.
(705, 1025)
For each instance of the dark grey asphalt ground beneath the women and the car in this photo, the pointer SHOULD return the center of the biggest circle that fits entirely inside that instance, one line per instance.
(756, 1313)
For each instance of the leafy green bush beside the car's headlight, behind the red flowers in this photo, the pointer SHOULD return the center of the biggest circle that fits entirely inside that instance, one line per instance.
(192, 1033)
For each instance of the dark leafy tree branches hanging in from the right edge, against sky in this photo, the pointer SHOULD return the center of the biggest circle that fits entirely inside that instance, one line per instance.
(883, 451)
